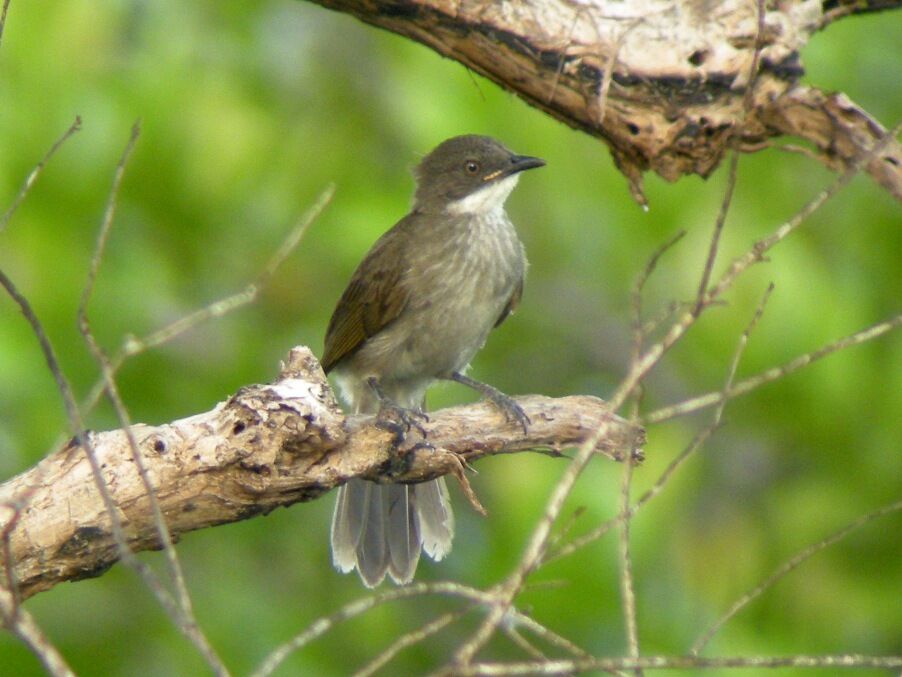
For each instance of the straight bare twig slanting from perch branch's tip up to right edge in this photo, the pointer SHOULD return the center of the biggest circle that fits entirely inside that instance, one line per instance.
(774, 373)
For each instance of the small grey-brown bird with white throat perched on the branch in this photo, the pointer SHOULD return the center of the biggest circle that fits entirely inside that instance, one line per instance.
(417, 309)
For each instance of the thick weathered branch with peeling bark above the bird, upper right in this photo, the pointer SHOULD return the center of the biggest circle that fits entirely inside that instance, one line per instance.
(667, 84)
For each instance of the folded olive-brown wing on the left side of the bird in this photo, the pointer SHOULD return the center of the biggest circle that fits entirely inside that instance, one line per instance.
(374, 298)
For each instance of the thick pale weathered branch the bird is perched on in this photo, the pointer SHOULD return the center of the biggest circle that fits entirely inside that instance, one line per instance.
(265, 447)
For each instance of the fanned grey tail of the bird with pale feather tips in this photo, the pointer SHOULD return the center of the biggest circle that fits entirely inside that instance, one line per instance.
(381, 528)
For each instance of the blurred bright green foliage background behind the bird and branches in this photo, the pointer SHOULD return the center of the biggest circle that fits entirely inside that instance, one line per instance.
(247, 111)
